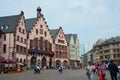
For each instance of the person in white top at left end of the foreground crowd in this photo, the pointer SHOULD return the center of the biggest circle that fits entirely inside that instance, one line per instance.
(89, 70)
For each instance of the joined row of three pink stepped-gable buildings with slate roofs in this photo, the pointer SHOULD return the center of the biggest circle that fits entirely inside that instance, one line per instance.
(23, 36)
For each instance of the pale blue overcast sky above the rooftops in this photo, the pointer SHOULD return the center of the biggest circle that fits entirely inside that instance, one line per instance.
(90, 19)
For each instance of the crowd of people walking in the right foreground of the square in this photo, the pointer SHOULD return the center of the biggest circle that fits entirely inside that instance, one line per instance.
(99, 69)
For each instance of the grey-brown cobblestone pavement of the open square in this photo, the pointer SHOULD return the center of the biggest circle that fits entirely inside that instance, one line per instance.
(49, 75)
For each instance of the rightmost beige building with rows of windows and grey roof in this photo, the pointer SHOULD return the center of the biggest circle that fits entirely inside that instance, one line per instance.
(109, 50)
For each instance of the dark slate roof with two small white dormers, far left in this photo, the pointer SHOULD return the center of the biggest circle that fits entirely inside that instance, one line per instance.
(10, 22)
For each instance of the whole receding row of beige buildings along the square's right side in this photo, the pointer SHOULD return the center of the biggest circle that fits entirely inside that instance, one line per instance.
(104, 51)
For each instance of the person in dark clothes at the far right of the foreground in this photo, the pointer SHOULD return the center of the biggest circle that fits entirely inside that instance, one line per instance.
(113, 69)
